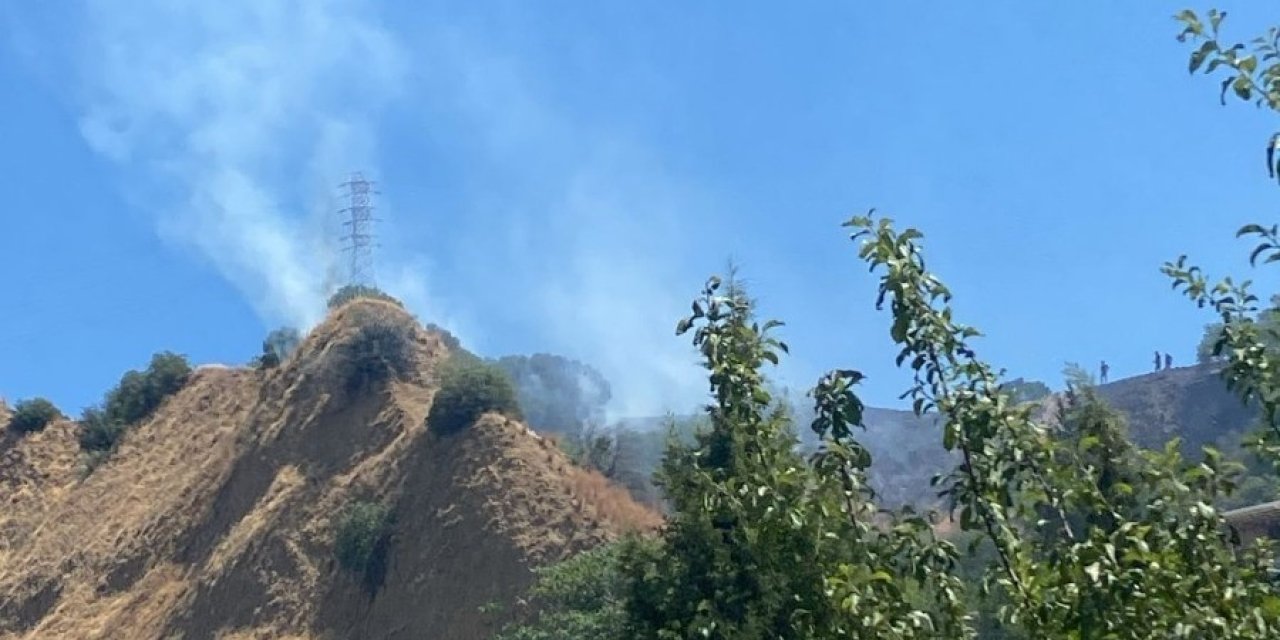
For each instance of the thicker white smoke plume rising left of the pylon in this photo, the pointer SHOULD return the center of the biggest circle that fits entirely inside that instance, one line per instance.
(240, 112)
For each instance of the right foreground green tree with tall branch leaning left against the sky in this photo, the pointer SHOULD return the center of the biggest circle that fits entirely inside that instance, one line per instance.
(1156, 572)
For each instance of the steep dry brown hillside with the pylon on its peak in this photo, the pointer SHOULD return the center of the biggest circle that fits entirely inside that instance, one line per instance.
(216, 518)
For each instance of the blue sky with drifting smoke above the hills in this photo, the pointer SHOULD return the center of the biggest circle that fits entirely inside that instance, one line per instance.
(564, 179)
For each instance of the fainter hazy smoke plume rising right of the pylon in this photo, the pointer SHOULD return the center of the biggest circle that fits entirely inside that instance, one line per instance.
(597, 241)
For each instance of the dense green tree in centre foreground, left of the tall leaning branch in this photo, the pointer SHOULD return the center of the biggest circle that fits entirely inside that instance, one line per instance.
(765, 545)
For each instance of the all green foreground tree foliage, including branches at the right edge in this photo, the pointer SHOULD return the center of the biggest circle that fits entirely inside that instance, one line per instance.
(1087, 537)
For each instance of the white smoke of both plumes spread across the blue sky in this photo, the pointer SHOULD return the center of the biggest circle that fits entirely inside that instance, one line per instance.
(239, 118)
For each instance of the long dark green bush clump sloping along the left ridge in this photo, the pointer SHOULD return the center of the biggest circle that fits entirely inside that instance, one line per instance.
(135, 399)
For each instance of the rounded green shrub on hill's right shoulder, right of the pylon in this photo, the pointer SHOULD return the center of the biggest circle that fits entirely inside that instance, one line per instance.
(468, 390)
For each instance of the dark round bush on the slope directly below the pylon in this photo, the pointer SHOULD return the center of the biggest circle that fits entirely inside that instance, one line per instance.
(381, 350)
